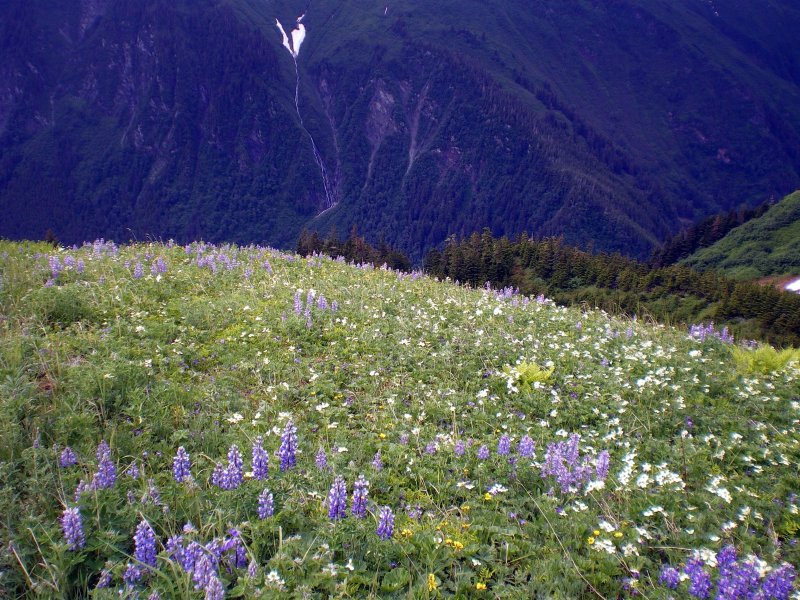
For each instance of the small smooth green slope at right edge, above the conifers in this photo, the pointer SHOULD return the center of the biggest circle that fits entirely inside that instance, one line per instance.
(768, 245)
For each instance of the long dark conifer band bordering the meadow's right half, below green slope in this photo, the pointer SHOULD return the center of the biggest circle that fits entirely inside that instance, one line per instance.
(674, 294)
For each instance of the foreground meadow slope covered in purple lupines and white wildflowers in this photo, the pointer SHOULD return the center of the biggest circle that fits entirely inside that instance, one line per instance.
(512, 448)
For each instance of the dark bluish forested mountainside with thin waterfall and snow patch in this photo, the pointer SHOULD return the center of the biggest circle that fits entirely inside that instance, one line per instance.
(614, 123)
